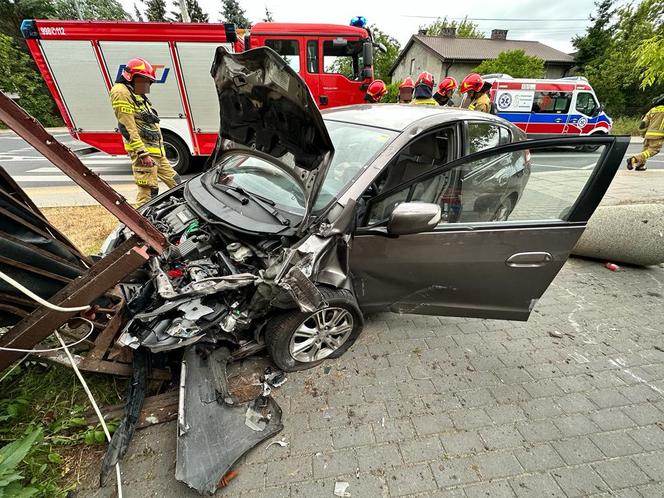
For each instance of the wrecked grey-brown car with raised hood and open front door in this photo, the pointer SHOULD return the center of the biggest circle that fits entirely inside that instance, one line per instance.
(315, 219)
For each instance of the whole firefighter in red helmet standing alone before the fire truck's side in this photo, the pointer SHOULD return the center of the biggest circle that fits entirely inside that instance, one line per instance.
(138, 123)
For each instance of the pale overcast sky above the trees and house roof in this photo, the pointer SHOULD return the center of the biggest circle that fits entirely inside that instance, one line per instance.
(552, 23)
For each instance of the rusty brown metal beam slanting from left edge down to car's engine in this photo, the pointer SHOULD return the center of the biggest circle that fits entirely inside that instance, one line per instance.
(34, 133)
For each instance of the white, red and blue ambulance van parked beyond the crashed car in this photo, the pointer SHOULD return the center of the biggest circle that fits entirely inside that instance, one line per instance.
(566, 106)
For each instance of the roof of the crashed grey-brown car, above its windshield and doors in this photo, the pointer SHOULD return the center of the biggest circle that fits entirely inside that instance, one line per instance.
(398, 117)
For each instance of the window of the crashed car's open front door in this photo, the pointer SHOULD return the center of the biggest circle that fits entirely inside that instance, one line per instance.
(505, 187)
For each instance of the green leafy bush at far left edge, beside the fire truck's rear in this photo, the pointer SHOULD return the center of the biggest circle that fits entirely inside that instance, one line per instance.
(19, 77)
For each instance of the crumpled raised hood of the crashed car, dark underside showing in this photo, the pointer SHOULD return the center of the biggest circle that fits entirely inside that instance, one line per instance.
(265, 105)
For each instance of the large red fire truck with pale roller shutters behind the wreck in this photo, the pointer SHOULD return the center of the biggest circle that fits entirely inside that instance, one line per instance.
(80, 61)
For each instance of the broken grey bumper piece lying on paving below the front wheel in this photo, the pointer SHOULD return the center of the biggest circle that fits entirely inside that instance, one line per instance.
(214, 430)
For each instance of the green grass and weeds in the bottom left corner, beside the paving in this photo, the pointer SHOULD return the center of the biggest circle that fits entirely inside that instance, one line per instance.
(49, 397)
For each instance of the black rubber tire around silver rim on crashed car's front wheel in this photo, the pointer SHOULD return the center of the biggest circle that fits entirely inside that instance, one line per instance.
(281, 329)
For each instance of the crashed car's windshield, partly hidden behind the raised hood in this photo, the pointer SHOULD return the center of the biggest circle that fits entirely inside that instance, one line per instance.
(354, 145)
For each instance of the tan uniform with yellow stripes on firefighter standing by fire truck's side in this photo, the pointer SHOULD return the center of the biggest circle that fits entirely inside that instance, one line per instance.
(139, 125)
